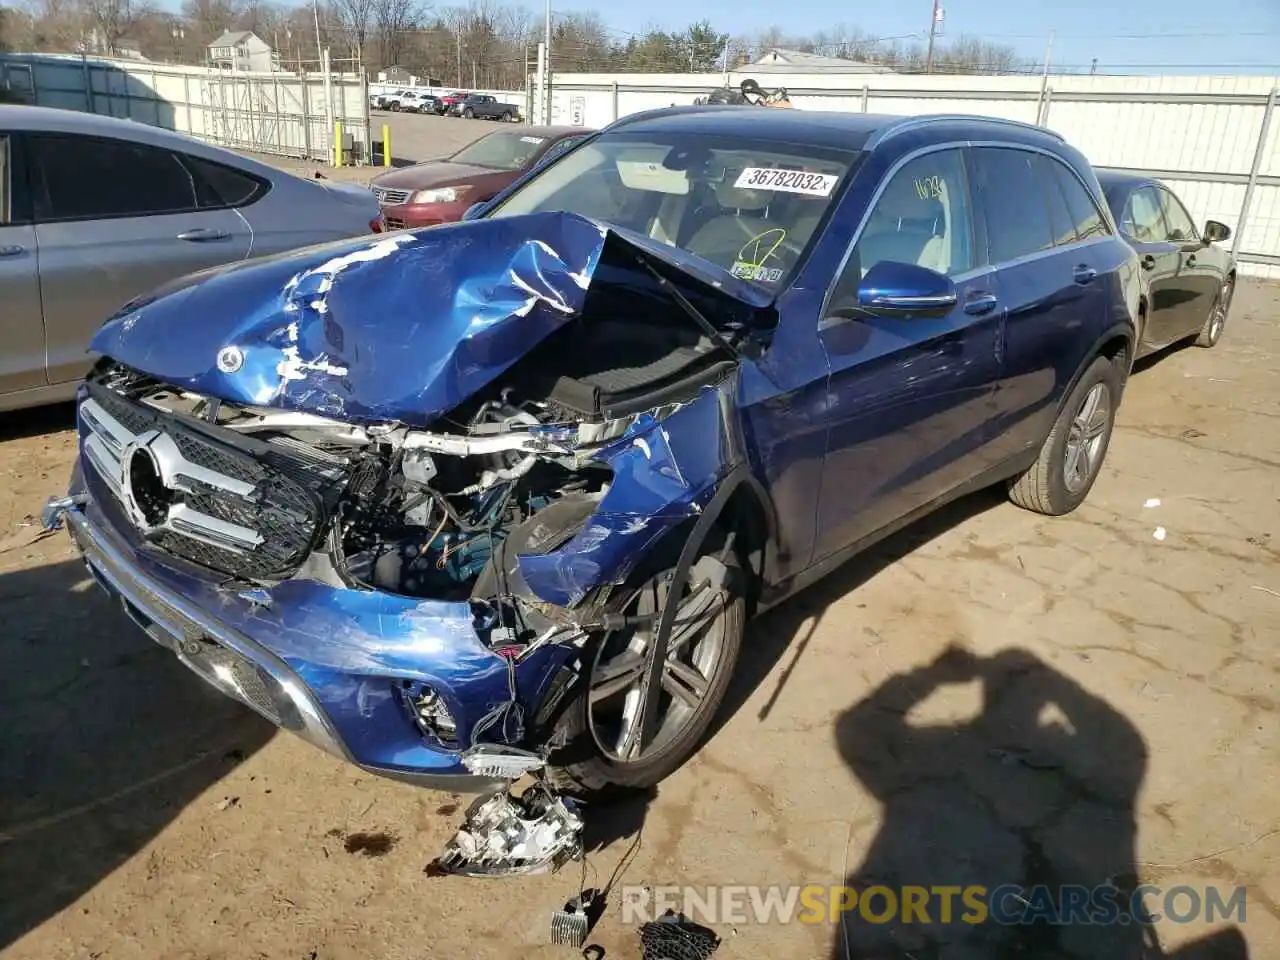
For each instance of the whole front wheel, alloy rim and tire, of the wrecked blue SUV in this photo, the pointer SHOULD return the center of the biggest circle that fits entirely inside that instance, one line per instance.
(609, 740)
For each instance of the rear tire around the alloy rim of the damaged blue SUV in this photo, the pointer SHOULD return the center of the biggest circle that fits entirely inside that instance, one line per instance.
(1045, 487)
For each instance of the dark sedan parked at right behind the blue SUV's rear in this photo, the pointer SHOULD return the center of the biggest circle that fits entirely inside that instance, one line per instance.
(1187, 281)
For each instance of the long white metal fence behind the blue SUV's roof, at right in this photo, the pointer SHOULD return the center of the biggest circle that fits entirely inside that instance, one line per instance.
(1212, 139)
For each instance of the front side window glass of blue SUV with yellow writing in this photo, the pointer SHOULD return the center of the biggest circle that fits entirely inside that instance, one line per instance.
(922, 218)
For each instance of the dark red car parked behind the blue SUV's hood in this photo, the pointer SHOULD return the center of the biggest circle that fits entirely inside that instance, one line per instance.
(441, 191)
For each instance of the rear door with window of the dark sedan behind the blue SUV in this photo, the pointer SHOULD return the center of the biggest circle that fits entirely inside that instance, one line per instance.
(1142, 222)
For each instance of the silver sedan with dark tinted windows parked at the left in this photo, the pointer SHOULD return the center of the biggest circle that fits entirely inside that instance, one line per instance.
(95, 211)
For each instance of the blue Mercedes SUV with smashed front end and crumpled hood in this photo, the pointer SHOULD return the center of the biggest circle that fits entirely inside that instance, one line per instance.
(502, 495)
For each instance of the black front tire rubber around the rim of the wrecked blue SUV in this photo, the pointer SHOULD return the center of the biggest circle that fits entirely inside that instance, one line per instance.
(580, 766)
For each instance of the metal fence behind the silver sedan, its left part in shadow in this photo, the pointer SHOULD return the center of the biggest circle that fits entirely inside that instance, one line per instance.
(284, 115)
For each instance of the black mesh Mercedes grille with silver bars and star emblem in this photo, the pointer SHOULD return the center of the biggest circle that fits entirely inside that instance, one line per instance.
(209, 502)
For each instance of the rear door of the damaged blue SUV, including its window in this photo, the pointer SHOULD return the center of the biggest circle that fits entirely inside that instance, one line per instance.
(1050, 290)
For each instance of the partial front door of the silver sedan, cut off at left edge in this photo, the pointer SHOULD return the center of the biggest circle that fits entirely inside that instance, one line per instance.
(22, 362)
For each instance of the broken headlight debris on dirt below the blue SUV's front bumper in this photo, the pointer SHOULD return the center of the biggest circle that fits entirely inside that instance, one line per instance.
(506, 835)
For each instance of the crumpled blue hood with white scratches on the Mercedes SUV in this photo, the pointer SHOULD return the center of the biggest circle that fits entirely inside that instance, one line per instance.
(404, 327)
